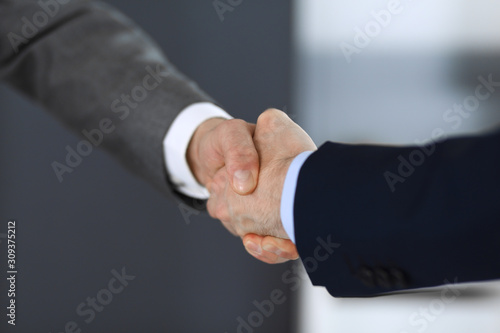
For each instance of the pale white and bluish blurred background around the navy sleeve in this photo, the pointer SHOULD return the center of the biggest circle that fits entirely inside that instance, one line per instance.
(396, 86)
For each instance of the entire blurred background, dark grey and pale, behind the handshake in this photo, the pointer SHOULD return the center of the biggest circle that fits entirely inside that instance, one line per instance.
(394, 85)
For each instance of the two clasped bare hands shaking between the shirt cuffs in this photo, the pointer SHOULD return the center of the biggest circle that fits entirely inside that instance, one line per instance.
(244, 167)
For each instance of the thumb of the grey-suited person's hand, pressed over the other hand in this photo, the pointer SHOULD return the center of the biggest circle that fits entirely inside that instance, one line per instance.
(240, 156)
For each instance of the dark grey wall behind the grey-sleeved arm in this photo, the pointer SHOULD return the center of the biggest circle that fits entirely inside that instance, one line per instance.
(189, 277)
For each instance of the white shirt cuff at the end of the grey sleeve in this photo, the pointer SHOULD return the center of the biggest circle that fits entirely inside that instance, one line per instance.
(176, 143)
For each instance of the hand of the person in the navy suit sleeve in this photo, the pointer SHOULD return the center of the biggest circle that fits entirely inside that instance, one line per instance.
(278, 141)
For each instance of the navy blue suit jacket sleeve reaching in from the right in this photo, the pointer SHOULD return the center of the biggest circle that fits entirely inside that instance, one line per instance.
(374, 219)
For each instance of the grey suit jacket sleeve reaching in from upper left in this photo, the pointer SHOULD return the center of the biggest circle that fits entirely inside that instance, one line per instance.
(93, 68)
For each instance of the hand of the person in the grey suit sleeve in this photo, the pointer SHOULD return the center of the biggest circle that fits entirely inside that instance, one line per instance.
(225, 143)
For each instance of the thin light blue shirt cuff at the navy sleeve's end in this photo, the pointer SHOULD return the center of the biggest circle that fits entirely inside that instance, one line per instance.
(288, 194)
